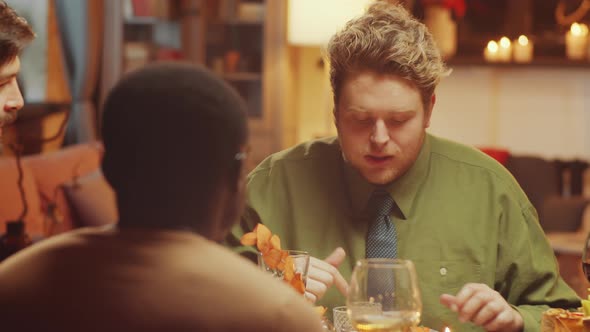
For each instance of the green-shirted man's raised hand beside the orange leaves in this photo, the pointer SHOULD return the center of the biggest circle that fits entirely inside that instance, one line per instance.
(323, 274)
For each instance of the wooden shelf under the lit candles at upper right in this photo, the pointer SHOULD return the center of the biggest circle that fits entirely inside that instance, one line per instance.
(546, 62)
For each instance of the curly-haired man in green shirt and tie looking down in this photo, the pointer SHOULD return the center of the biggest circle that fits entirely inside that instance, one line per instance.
(481, 257)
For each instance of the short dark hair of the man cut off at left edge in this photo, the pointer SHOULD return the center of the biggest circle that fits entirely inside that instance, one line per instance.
(15, 34)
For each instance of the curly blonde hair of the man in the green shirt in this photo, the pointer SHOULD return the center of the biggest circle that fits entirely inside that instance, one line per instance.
(386, 40)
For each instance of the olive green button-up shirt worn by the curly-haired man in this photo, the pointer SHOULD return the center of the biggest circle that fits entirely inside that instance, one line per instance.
(460, 217)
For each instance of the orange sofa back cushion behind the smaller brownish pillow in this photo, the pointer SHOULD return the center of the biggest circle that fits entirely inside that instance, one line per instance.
(53, 169)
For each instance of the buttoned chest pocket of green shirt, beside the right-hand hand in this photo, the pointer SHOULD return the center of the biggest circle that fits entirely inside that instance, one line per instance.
(437, 277)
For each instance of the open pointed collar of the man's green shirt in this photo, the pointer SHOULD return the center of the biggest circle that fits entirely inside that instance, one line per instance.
(403, 190)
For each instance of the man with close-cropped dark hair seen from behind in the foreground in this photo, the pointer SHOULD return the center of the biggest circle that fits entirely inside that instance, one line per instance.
(175, 139)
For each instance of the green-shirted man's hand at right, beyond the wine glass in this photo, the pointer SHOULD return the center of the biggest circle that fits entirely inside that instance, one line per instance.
(485, 307)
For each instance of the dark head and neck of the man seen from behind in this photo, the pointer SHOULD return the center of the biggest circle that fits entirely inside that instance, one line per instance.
(171, 133)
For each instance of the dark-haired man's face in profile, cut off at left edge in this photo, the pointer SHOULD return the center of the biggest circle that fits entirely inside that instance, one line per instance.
(15, 34)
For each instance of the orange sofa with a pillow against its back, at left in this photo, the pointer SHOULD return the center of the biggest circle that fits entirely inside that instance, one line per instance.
(63, 190)
